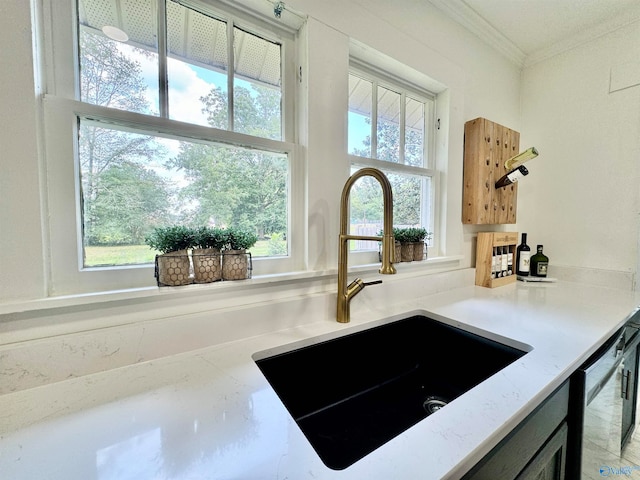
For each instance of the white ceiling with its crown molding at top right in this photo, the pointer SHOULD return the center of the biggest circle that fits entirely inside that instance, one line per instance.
(528, 29)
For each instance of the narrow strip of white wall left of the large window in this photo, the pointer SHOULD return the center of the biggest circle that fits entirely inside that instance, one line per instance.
(22, 270)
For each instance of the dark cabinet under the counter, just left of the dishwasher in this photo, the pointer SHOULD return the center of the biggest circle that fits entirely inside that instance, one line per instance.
(535, 450)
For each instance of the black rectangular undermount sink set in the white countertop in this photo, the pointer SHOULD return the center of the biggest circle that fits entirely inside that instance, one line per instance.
(352, 394)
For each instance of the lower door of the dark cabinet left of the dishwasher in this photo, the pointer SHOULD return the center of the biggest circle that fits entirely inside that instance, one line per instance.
(550, 462)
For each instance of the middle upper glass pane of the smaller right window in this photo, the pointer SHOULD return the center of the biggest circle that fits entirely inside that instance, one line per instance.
(388, 125)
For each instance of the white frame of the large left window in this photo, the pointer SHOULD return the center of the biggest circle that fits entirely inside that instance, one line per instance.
(61, 110)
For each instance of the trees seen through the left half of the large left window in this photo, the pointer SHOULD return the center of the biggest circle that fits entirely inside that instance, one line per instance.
(119, 193)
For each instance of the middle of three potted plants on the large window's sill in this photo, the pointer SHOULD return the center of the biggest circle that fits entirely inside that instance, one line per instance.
(208, 244)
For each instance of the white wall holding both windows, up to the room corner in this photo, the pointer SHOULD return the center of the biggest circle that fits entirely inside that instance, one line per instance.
(480, 83)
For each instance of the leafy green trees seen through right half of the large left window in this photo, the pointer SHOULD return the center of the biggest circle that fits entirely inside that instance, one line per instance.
(236, 186)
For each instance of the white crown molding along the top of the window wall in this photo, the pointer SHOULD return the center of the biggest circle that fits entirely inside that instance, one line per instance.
(466, 16)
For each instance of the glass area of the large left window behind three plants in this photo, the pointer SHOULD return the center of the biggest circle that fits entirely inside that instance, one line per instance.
(243, 185)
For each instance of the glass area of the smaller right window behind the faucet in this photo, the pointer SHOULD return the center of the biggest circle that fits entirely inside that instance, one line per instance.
(391, 134)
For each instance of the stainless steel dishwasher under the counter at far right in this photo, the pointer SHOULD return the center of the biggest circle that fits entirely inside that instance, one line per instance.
(603, 388)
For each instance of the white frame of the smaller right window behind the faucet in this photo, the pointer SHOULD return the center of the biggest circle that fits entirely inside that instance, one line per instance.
(380, 77)
